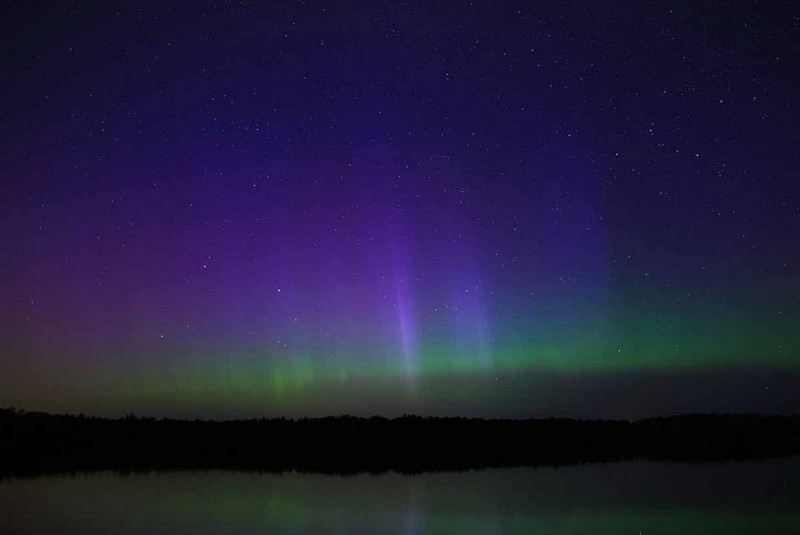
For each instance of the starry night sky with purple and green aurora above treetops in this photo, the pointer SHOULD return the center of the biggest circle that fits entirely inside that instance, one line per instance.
(507, 209)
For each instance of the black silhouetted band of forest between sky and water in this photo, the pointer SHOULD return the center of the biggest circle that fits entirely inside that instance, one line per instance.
(35, 442)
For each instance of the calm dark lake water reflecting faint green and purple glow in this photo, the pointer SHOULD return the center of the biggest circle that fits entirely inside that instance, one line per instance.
(619, 498)
